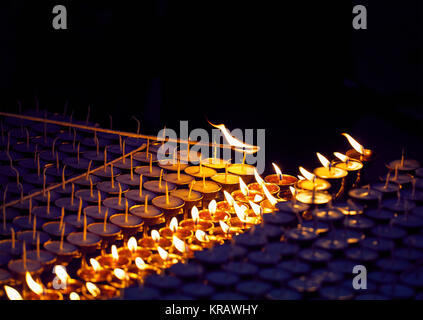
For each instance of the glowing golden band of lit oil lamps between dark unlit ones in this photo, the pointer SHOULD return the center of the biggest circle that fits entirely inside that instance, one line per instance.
(242, 208)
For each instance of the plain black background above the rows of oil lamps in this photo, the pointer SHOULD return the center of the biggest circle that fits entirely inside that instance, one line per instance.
(296, 68)
